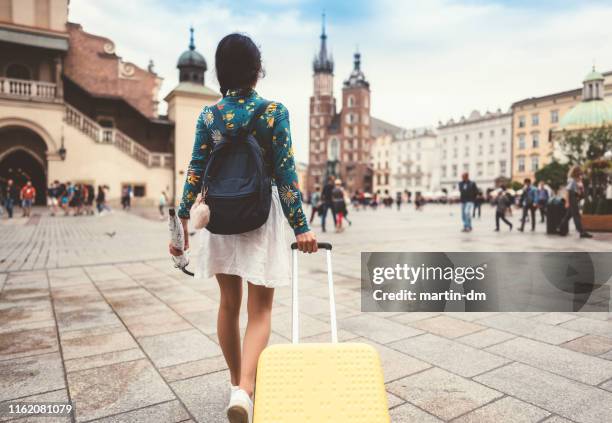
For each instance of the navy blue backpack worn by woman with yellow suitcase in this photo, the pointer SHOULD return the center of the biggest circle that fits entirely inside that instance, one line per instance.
(236, 183)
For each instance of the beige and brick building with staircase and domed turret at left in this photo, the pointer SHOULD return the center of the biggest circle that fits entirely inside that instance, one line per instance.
(71, 109)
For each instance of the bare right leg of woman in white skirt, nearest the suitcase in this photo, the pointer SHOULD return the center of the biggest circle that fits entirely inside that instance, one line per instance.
(259, 307)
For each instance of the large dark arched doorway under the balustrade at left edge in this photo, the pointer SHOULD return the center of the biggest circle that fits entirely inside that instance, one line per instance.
(23, 158)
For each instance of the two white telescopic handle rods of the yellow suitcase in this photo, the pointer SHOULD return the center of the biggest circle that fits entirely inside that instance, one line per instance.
(295, 331)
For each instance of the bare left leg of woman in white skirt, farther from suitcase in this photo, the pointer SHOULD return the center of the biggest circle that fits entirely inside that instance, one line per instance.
(228, 327)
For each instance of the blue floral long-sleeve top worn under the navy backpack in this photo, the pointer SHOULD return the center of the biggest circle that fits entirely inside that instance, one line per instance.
(273, 135)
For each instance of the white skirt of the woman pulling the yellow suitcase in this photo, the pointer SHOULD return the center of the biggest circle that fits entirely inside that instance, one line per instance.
(261, 256)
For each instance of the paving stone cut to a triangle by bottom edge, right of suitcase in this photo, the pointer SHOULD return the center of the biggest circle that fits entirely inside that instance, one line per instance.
(507, 409)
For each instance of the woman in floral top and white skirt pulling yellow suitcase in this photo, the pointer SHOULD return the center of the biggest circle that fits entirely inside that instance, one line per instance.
(260, 256)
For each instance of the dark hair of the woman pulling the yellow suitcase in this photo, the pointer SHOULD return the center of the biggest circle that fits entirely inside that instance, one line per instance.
(237, 62)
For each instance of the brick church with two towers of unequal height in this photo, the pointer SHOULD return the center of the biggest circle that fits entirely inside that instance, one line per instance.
(339, 142)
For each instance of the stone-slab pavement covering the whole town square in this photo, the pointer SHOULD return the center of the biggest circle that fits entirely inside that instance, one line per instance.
(92, 311)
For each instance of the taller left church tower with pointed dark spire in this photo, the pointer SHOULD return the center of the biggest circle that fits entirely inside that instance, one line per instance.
(322, 112)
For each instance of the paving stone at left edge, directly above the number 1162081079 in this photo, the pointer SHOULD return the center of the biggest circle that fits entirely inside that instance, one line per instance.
(31, 375)
